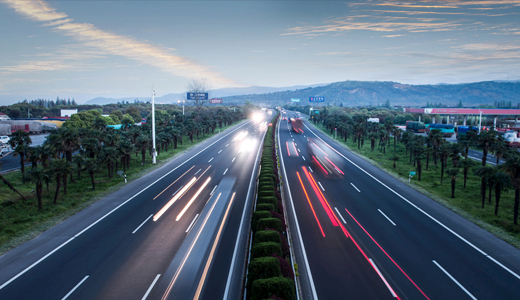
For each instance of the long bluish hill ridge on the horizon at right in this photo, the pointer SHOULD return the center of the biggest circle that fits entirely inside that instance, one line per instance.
(363, 93)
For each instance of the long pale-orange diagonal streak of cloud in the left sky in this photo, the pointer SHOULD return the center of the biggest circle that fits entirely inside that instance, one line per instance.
(114, 44)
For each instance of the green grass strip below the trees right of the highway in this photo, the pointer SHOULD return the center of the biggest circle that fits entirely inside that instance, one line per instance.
(467, 201)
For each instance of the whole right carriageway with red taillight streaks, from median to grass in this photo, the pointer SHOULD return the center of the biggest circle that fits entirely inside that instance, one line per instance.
(366, 235)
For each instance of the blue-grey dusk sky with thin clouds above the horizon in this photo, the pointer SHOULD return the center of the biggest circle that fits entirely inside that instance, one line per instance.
(87, 49)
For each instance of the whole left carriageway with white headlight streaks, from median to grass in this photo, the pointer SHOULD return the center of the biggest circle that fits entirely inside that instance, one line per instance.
(179, 232)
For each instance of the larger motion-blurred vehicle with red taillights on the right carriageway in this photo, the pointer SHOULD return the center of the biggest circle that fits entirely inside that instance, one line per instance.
(324, 159)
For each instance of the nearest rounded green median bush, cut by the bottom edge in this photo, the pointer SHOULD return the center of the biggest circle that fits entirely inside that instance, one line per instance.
(280, 286)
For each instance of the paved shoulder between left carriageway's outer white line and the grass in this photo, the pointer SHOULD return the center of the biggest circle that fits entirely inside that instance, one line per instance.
(53, 238)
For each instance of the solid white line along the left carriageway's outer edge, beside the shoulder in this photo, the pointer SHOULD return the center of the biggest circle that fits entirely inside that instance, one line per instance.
(110, 212)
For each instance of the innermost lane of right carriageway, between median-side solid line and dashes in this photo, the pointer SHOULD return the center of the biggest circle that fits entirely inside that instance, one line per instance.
(337, 265)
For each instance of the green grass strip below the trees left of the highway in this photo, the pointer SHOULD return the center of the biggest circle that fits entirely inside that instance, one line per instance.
(21, 220)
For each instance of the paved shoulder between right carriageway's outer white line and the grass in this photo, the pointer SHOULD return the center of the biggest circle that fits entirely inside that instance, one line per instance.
(451, 221)
